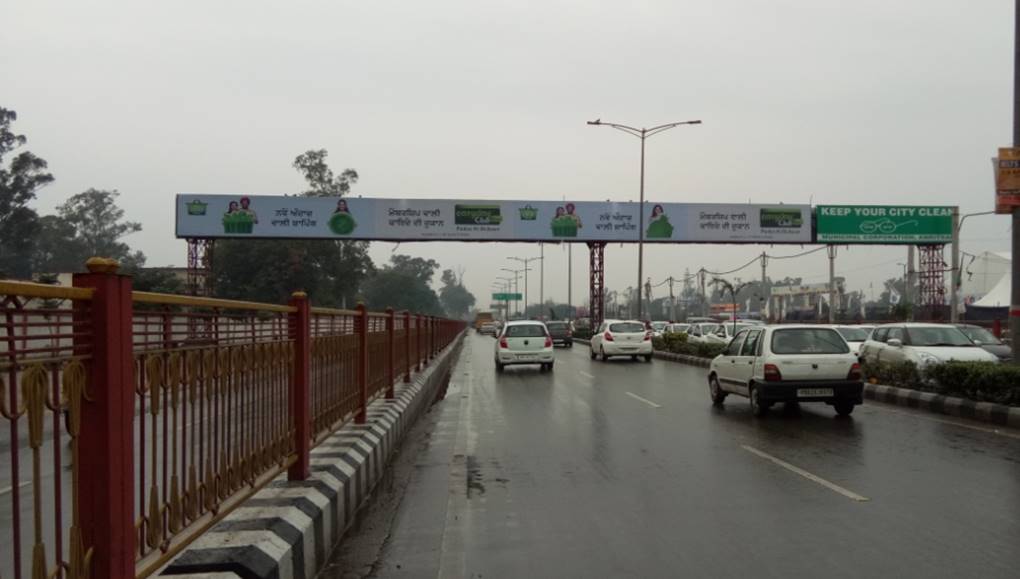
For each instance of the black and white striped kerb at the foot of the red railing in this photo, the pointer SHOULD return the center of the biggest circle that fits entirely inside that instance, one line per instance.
(288, 530)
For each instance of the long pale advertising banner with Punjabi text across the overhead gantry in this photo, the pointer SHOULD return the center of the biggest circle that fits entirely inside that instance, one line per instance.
(424, 220)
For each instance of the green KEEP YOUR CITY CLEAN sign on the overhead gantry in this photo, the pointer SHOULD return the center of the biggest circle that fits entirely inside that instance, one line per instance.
(885, 224)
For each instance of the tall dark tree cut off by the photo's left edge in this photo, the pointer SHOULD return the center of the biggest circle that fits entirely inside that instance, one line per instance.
(19, 183)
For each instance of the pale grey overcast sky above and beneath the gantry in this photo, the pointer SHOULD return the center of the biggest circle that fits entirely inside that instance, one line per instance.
(819, 101)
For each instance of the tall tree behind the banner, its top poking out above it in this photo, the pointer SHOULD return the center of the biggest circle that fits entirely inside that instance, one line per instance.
(271, 271)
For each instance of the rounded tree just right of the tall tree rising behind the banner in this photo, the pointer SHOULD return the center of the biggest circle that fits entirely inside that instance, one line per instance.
(404, 285)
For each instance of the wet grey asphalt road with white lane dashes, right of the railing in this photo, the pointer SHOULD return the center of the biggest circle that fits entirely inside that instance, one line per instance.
(625, 469)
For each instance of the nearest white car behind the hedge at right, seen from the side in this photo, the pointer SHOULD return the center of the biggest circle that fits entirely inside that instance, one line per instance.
(922, 344)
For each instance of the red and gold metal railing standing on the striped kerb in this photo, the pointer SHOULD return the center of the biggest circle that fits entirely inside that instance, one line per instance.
(138, 420)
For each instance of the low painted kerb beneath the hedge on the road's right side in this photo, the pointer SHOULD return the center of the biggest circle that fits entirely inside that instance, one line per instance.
(951, 406)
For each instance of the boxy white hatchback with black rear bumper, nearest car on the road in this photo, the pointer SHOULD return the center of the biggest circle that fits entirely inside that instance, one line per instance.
(788, 364)
